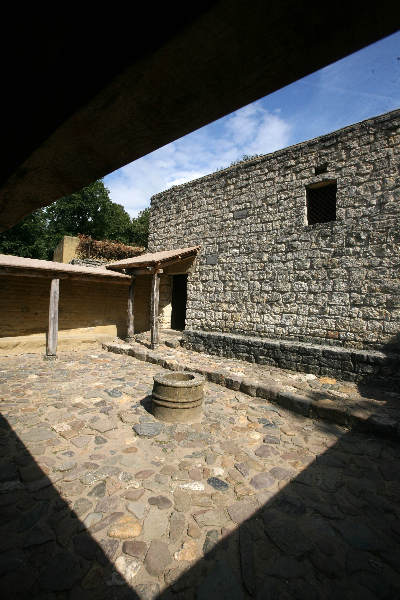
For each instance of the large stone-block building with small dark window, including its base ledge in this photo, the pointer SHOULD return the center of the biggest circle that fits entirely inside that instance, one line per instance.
(299, 261)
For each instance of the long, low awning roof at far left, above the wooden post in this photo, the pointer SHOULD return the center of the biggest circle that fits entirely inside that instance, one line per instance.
(32, 267)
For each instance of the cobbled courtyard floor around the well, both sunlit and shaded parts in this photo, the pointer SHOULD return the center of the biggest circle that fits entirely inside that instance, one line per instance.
(98, 500)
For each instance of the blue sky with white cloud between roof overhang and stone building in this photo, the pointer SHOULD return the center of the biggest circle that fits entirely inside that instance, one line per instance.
(362, 85)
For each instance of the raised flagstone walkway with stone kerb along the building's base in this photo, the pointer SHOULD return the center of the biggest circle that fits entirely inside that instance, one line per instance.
(369, 405)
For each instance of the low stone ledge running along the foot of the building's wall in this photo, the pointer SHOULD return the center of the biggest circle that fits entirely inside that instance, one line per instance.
(342, 363)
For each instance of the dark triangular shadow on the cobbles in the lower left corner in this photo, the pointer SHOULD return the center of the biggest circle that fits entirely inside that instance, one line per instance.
(46, 552)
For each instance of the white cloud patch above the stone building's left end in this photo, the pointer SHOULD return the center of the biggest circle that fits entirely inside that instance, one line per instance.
(250, 130)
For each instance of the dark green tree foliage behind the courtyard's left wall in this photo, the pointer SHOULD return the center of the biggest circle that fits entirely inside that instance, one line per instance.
(89, 212)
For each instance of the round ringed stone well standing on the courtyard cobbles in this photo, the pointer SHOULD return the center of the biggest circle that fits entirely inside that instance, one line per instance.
(178, 397)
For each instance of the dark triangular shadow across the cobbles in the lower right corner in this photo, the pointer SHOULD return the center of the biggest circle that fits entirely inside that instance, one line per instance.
(332, 532)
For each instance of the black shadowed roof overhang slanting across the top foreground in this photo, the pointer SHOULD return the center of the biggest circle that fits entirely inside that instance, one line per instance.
(83, 97)
